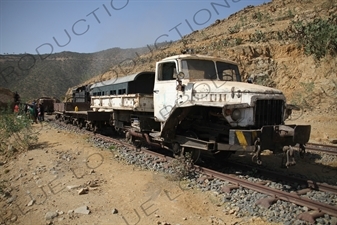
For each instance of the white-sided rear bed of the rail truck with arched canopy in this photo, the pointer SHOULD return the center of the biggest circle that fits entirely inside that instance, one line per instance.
(127, 98)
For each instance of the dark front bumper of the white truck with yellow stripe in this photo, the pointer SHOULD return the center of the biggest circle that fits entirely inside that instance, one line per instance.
(271, 137)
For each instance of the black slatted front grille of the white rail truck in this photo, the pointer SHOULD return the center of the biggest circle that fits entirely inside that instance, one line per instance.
(268, 112)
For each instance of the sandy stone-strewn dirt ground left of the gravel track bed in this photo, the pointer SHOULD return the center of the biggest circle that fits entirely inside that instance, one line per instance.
(49, 178)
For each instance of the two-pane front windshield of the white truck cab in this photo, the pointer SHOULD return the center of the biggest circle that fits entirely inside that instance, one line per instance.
(196, 69)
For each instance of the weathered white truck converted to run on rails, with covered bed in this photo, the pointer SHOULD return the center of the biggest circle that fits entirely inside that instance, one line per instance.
(196, 104)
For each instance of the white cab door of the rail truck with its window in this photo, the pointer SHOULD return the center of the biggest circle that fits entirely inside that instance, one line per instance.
(165, 93)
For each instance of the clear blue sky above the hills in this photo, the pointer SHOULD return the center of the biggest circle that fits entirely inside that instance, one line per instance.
(51, 26)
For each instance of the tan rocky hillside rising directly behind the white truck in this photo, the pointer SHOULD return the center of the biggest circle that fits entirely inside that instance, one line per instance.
(279, 43)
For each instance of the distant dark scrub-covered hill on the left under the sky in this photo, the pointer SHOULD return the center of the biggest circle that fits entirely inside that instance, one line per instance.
(51, 75)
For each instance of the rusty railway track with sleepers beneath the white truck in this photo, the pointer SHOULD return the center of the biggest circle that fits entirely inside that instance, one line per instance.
(318, 209)
